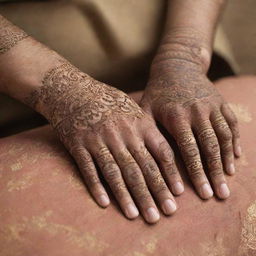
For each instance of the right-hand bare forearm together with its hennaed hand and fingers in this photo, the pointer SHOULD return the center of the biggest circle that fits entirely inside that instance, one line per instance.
(181, 97)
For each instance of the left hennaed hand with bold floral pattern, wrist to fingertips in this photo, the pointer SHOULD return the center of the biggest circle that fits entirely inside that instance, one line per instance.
(102, 125)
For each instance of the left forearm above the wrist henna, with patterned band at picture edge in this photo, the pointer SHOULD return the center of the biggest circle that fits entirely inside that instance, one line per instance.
(24, 63)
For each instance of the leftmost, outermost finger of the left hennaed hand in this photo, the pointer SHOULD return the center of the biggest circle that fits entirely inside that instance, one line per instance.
(90, 175)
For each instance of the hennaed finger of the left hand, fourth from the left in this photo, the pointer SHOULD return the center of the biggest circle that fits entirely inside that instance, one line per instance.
(153, 177)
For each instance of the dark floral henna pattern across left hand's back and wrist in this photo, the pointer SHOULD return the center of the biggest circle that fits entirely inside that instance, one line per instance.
(74, 101)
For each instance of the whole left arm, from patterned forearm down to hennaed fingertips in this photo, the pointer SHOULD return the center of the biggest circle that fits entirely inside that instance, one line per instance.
(96, 122)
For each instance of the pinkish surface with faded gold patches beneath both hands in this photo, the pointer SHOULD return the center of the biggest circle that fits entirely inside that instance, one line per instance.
(46, 209)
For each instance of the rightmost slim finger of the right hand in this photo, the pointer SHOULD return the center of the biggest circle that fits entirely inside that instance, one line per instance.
(233, 125)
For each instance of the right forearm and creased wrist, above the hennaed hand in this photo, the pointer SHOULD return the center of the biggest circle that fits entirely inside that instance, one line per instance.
(189, 30)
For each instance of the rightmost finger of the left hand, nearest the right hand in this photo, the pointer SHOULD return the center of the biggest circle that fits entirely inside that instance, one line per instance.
(162, 152)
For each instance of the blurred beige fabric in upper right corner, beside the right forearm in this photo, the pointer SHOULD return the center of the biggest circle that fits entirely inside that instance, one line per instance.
(236, 36)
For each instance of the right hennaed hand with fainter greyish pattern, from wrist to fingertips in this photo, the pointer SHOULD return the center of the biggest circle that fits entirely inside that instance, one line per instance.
(180, 96)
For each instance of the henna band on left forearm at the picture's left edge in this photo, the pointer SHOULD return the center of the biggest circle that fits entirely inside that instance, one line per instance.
(10, 35)
